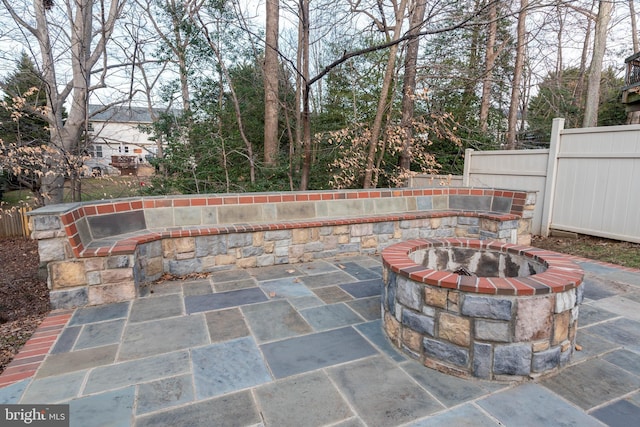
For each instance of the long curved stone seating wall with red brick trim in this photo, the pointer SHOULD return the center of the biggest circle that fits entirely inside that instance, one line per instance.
(101, 252)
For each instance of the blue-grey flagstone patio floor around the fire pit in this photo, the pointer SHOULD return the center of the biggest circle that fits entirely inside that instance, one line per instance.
(224, 351)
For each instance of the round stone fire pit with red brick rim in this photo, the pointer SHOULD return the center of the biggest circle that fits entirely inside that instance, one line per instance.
(486, 309)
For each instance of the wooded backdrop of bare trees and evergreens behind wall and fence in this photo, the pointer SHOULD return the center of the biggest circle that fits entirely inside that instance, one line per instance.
(304, 94)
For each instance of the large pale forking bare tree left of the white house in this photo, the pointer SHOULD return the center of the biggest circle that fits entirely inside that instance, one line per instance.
(76, 35)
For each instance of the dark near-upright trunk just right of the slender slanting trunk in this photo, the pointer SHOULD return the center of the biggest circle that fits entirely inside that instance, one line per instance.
(409, 84)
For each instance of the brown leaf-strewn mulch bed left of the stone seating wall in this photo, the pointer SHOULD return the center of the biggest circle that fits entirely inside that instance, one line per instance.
(24, 297)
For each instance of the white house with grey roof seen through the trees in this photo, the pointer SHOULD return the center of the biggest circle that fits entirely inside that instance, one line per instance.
(118, 140)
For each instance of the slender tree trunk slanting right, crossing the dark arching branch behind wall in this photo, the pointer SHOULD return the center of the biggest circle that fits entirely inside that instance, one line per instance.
(369, 181)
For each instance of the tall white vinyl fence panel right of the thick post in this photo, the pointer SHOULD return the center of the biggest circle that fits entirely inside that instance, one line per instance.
(597, 183)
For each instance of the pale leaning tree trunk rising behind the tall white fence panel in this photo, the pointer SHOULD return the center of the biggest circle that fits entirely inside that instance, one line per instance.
(595, 68)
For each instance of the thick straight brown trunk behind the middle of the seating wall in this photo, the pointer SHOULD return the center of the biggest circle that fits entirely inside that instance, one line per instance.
(270, 76)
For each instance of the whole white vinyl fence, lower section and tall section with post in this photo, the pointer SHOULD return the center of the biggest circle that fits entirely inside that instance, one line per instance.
(588, 181)
